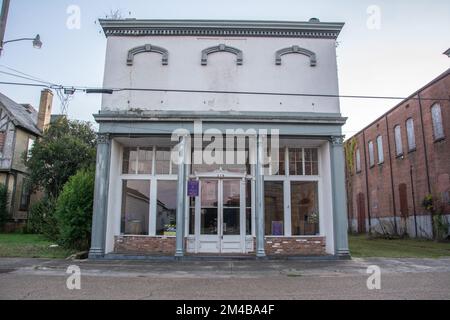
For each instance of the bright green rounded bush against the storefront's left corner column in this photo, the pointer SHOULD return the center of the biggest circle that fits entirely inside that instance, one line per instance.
(74, 210)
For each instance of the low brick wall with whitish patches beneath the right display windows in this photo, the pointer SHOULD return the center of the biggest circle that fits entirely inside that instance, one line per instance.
(315, 246)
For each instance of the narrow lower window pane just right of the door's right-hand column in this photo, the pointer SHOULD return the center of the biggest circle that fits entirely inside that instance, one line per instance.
(274, 208)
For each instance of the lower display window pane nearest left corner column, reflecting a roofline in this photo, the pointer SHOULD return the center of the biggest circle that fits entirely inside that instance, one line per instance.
(135, 207)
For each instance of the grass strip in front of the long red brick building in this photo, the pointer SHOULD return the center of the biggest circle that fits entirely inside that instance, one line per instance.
(363, 247)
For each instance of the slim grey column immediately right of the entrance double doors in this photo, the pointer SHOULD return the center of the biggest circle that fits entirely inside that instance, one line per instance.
(260, 210)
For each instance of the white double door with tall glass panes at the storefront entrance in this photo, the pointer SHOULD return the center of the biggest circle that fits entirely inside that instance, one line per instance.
(221, 216)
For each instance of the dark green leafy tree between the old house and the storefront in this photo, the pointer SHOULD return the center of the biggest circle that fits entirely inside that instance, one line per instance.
(66, 147)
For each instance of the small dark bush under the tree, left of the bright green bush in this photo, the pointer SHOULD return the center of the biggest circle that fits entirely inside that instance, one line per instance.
(41, 219)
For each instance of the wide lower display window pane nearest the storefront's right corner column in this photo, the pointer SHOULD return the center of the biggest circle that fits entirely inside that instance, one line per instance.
(305, 208)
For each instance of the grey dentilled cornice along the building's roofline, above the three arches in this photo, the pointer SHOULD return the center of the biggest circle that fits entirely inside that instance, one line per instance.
(228, 28)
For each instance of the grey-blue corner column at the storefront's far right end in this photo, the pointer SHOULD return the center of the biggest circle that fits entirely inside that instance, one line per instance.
(340, 221)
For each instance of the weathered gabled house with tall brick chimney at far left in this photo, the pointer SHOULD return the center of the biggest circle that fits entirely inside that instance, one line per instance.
(20, 126)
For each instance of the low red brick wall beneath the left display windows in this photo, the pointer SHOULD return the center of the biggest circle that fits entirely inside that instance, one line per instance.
(145, 245)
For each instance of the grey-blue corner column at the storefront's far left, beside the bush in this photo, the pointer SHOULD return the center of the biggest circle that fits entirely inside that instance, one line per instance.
(100, 197)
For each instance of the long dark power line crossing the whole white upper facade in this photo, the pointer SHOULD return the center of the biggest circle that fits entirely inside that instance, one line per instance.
(111, 90)
